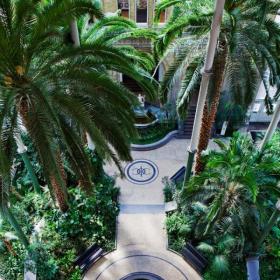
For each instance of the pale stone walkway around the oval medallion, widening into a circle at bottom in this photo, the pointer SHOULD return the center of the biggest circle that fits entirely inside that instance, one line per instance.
(141, 236)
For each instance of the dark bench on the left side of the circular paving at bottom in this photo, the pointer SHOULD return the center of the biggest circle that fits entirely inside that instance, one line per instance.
(89, 257)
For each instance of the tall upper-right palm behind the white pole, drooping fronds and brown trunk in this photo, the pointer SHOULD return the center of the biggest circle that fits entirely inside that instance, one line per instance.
(245, 50)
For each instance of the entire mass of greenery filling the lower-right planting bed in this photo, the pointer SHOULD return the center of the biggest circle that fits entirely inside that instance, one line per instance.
(229, 204)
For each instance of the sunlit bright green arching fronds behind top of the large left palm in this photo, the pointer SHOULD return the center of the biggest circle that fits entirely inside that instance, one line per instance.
(113, 32)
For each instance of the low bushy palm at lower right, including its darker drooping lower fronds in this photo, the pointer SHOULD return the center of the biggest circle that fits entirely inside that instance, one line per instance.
(235, 183)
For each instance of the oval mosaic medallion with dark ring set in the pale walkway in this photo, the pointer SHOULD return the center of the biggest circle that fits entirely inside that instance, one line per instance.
(141, 171)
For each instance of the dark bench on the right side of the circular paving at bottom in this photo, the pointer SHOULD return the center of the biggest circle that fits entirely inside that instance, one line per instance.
(194, 258)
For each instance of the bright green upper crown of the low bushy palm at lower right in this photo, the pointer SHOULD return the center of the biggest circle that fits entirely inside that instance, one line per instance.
(248, 178)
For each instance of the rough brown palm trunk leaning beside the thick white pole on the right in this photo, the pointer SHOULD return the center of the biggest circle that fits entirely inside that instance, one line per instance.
(210, 115)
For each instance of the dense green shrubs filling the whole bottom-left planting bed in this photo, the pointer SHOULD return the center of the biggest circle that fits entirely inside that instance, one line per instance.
(61, 237)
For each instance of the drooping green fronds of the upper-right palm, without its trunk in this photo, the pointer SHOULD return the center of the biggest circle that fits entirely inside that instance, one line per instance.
(250, 36)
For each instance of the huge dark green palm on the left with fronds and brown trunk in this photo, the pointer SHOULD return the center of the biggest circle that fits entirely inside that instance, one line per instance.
(53, 89)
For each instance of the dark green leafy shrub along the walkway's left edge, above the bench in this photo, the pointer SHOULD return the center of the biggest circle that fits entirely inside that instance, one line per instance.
(89, 218)
